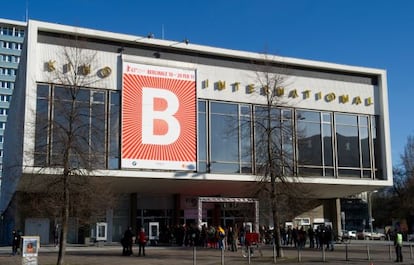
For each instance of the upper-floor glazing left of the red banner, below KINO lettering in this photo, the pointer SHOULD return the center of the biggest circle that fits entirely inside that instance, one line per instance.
(77, 122)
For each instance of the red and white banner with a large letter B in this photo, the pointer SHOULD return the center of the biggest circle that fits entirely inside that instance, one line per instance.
(158, 117)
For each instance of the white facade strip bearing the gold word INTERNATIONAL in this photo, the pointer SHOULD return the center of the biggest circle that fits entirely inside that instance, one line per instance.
(299, 92)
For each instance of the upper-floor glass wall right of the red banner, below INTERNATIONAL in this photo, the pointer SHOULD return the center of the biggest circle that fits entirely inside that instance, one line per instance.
(304, 142)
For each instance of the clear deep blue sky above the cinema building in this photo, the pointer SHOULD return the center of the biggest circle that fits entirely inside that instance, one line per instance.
(369, 33)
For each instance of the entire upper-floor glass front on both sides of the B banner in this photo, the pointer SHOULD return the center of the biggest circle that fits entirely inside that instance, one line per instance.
(305, 143)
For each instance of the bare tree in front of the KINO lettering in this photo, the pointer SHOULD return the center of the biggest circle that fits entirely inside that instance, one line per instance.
(70, 141)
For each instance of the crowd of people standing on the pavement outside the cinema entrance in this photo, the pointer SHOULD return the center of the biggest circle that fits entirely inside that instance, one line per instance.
(229, 238)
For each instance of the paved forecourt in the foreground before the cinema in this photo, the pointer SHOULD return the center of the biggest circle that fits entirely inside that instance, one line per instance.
(111, 255)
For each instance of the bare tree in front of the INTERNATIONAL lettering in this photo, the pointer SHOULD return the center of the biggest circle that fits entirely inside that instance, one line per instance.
(275, 136)
